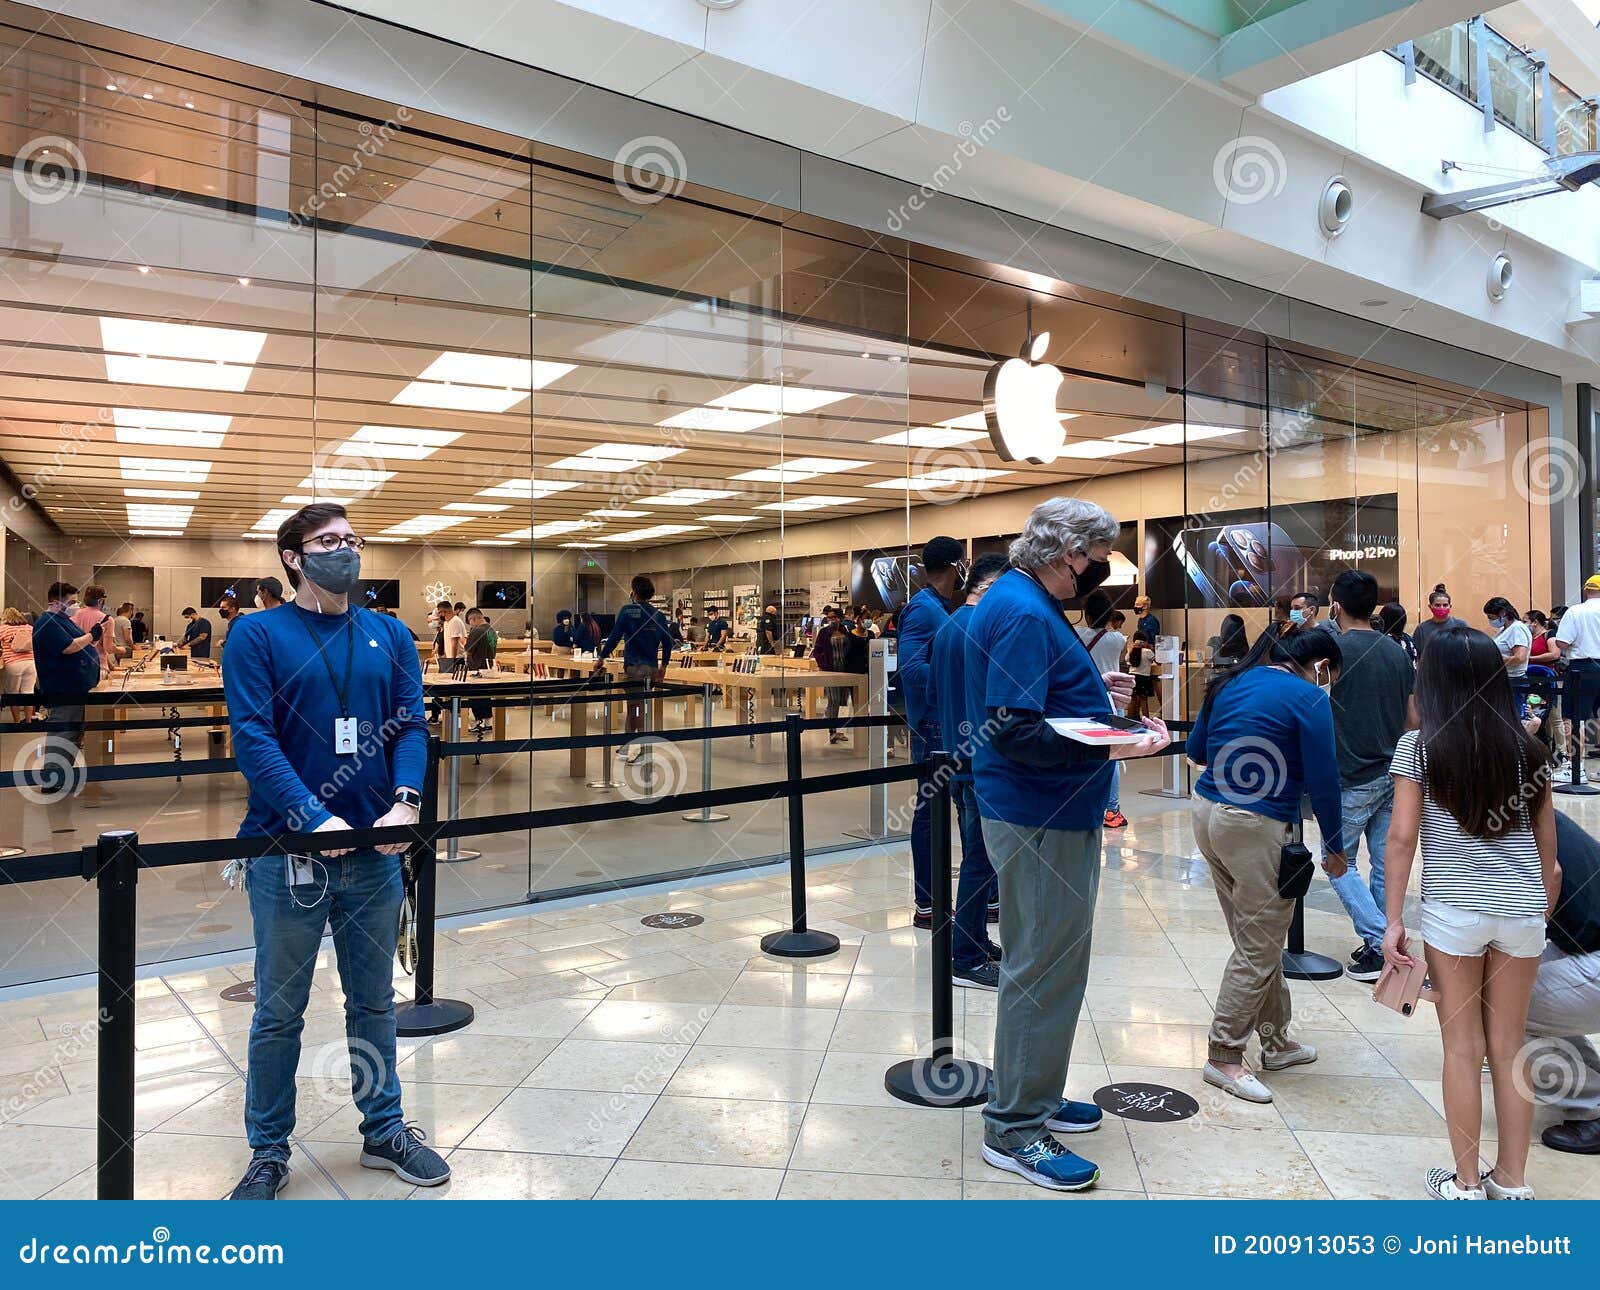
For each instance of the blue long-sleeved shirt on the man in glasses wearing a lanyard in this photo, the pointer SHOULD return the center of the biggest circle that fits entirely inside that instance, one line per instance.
(282, 708)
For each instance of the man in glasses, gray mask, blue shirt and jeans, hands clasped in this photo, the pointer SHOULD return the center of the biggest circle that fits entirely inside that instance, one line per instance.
(326, 703)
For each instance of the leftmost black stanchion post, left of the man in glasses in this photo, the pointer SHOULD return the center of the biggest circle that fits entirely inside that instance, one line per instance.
(116, 876)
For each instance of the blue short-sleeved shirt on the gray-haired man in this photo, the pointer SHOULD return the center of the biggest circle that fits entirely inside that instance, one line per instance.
(1022, 655)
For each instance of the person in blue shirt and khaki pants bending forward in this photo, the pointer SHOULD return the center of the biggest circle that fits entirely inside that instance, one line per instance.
(1265, 735)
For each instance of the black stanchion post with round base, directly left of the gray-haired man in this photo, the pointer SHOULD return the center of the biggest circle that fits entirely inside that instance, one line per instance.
(940, 1080)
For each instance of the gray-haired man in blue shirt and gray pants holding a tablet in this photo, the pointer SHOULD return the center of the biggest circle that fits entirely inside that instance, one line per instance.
(1042, 799)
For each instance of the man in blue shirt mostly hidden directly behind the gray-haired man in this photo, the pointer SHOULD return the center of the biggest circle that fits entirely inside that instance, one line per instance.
(975, 956)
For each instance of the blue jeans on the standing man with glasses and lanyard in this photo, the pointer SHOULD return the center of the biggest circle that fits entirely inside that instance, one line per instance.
(359, 895)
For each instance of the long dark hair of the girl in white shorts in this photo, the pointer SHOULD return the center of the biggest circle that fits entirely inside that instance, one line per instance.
(1479, 763)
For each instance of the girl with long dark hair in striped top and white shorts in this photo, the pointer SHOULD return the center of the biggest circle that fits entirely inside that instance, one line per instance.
(1474, 788)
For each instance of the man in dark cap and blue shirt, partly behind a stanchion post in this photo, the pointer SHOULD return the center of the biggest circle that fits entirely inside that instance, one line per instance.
(943, 571)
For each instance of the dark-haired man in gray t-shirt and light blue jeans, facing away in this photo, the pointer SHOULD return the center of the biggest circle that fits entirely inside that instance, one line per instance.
(1372, 705)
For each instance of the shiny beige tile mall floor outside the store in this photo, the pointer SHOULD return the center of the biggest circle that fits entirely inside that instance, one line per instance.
(612, 1060)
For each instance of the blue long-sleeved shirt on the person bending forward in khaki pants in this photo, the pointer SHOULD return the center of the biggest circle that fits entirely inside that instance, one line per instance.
(1265, 743)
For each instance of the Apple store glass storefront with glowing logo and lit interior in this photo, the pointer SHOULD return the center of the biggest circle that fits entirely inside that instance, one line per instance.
(532, 380)
